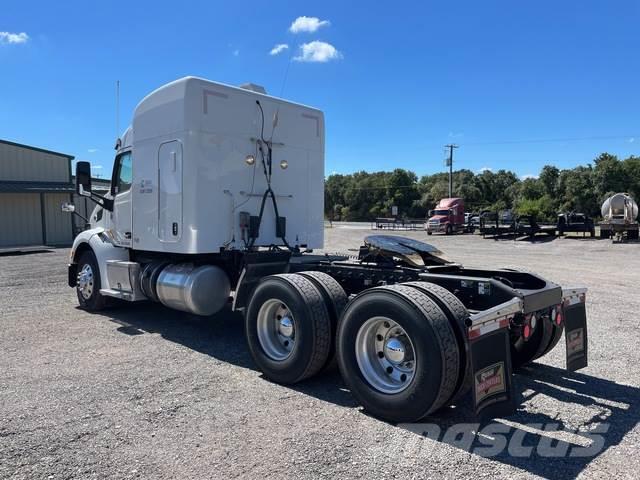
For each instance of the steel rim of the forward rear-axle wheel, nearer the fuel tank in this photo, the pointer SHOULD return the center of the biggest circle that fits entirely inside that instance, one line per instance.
(276, 329)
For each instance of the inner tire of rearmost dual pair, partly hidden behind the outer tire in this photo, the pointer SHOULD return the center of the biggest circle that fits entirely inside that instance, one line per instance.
(457, 314)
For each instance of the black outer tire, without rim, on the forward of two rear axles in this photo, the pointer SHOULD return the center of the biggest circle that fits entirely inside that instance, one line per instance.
(312, 328)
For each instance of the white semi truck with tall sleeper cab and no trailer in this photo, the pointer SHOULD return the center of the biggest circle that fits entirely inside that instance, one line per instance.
(216, 202)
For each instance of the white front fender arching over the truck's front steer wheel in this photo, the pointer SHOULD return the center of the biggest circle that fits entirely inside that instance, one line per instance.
(98, 240)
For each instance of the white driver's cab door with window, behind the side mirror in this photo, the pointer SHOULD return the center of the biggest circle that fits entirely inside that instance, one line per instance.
(121, 191)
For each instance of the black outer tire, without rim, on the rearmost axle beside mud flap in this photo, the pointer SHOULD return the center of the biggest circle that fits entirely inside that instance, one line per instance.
(437, 355)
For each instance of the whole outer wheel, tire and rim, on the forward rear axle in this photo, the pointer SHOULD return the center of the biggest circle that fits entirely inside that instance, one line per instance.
(292, 297)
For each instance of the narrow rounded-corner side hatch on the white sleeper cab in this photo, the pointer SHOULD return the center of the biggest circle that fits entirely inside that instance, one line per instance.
(170, 192)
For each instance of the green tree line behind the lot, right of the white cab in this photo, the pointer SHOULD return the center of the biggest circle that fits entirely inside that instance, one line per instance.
(364, 196)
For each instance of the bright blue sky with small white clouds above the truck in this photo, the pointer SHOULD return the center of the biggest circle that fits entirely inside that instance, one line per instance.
(396, 80)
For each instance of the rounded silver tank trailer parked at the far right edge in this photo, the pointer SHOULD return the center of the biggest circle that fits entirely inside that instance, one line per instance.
(619, 217)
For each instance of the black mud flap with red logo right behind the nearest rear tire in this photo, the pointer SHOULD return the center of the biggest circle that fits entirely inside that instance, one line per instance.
(490, 351)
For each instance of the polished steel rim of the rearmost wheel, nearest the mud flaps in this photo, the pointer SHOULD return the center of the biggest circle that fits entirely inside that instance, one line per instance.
(385, 355)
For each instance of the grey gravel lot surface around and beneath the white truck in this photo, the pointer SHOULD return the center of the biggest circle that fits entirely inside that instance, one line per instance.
(146, 392)
